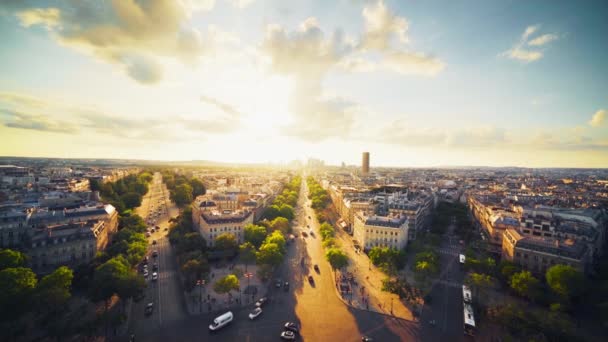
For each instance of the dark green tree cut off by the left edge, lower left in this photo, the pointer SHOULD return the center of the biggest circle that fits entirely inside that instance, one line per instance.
(16, 287)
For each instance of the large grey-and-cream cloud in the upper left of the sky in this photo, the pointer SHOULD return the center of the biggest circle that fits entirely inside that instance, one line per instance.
(116, 31)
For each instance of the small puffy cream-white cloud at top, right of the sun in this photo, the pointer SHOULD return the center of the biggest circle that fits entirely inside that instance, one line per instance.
(382, 26)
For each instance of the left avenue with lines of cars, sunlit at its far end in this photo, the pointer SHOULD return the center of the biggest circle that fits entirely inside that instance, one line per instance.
(165, 293)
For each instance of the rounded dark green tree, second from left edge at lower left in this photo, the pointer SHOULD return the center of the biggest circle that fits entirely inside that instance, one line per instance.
(53, 290)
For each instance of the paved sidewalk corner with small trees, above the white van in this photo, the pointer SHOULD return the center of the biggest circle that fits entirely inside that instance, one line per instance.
(203, 299)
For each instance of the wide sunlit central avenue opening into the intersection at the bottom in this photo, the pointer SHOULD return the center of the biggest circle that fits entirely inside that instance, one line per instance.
(316, 307)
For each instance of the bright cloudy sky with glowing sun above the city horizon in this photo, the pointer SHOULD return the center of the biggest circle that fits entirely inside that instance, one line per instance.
(415, 83)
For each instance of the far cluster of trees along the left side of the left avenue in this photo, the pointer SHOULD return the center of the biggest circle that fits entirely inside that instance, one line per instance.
(125, 193)
